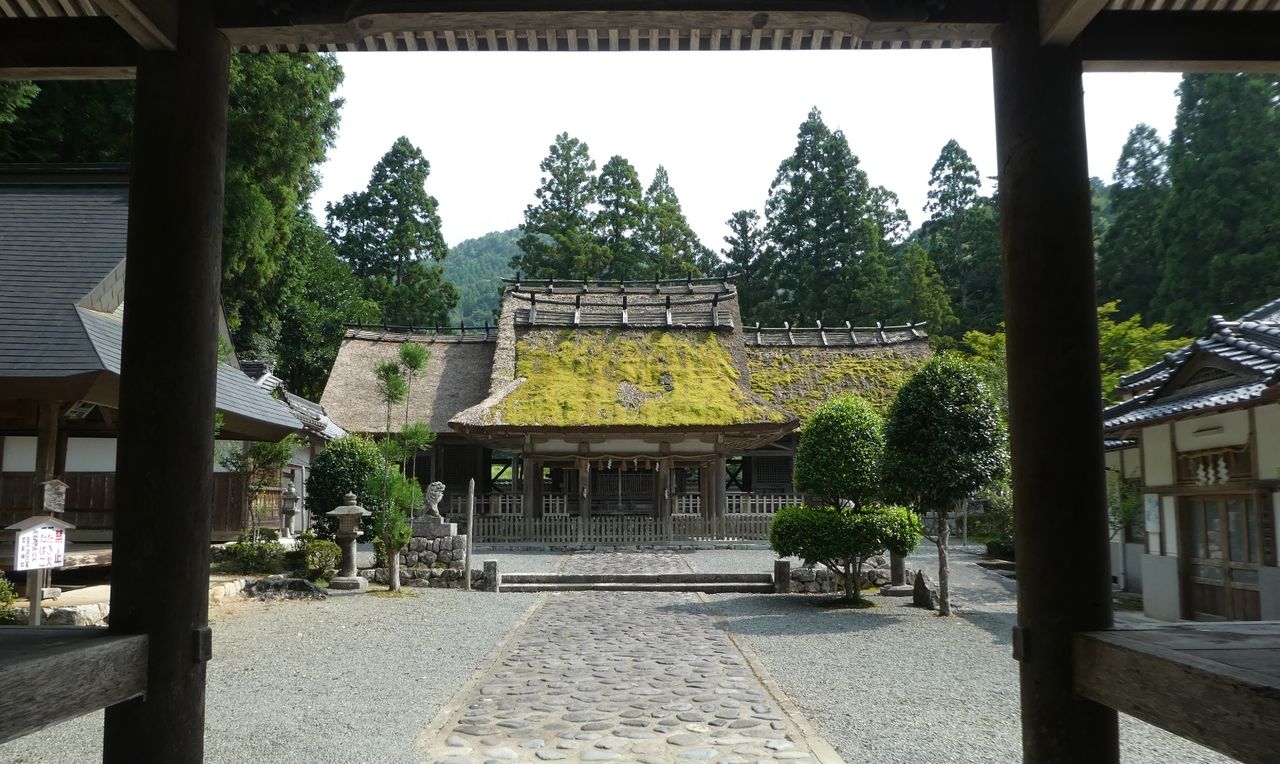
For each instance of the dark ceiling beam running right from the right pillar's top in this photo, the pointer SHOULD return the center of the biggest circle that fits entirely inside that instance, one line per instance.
(1182, 42)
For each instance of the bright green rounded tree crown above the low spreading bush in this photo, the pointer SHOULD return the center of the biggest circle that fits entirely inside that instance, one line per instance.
(839, 456)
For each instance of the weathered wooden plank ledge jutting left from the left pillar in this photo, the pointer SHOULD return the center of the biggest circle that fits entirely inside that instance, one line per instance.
(53, 674)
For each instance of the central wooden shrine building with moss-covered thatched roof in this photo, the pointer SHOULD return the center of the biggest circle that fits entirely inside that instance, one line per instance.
(623, 411)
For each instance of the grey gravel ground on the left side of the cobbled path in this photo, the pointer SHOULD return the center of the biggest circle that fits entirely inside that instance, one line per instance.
(403, 660)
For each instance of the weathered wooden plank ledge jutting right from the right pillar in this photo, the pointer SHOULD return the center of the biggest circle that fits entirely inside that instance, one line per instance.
(1228, 708)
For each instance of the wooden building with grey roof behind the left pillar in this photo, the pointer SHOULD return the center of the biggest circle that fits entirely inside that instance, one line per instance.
(62, 306)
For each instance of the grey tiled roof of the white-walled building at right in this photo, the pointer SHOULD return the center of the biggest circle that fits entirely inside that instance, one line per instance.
(1249, 347)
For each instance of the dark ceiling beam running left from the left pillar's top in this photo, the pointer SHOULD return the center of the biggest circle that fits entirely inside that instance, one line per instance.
(66, 49)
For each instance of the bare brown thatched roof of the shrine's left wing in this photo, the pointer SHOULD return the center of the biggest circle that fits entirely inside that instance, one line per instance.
(456, 378)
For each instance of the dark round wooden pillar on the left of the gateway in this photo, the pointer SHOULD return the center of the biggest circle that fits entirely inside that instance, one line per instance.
(170, 355)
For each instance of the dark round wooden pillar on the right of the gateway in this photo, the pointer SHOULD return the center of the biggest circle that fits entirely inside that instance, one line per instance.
(1054, 388)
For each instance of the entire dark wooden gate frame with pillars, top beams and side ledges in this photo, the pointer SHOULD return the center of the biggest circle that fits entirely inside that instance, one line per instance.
(150, 669)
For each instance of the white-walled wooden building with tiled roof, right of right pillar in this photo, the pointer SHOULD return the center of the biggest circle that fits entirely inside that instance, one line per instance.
(1200, 440)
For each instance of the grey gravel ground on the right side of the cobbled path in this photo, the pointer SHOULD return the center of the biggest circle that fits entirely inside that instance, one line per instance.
(897, 684)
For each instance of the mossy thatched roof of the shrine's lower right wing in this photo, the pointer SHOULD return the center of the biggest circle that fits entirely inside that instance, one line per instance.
(801, 378)
